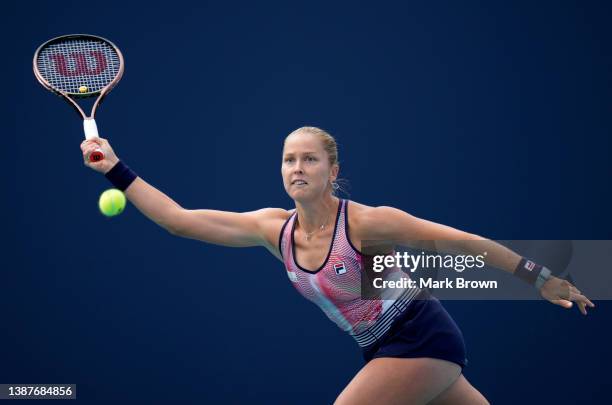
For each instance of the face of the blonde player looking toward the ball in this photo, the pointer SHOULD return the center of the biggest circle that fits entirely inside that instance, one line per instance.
(306, 170)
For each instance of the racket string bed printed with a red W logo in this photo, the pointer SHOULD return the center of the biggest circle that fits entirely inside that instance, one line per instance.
(71, 64)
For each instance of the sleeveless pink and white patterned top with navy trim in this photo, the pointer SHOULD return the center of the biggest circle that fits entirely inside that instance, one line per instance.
(336, 286)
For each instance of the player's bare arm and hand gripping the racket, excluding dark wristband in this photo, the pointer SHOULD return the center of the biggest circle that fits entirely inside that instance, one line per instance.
(256, 228)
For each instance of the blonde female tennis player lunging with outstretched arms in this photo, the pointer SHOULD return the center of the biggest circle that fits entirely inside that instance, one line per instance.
(414, 351)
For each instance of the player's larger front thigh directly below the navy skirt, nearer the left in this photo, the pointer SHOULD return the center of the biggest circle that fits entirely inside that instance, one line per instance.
(386, 381)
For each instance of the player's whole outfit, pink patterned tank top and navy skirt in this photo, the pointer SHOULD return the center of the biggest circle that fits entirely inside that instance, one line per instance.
(410, 323)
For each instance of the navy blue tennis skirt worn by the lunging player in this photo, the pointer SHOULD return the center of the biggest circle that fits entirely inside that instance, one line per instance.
(424, 329)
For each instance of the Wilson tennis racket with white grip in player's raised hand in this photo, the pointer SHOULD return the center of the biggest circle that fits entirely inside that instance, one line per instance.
(76, 67)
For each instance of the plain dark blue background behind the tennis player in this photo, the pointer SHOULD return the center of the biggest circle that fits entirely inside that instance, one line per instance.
(493, 117)
